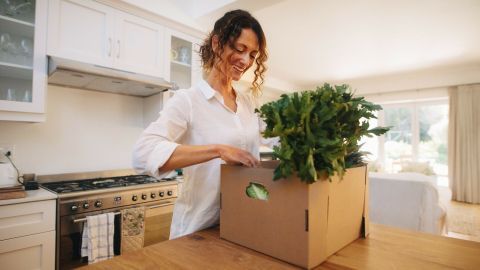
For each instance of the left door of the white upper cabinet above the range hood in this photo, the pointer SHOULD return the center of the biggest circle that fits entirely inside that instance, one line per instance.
(81, 30)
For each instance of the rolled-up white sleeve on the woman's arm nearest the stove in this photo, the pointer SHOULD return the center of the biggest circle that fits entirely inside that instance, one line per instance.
(158, 141)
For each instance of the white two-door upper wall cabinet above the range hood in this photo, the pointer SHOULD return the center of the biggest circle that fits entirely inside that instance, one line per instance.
(91, 32)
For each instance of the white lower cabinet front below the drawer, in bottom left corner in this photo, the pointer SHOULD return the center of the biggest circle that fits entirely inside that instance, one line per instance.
(36, 251)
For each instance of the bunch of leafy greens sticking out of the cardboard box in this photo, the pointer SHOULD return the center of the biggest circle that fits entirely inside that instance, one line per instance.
(319, 130)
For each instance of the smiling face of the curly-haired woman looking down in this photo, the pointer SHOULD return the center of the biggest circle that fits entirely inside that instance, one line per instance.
(238, 56)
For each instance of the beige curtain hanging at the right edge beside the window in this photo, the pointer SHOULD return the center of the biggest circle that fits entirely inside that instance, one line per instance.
(464, 143)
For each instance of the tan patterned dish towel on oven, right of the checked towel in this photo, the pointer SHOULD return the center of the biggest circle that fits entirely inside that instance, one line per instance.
(133, 229)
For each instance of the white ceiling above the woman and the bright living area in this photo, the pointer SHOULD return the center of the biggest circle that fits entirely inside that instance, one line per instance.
(316, 41)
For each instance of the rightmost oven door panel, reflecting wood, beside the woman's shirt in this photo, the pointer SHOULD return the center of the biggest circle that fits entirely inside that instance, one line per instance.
(158, 219)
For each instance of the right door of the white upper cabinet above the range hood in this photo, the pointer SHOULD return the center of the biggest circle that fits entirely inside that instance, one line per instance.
(139, 45)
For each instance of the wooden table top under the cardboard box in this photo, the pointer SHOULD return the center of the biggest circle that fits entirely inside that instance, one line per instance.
(386, 248)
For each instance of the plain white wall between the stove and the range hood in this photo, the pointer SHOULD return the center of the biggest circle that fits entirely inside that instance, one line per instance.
(84, 131)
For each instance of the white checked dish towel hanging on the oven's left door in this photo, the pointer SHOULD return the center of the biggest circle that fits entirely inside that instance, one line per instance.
(97, 238)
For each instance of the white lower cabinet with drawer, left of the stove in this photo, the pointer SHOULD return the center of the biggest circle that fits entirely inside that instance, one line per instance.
(27, 235)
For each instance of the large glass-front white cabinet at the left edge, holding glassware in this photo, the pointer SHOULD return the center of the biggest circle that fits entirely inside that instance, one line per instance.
(22, 59)
